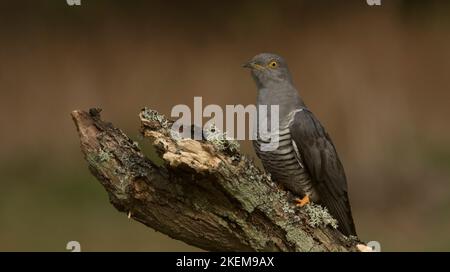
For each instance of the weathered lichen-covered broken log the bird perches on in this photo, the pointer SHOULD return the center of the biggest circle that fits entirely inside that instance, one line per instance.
(204, 194)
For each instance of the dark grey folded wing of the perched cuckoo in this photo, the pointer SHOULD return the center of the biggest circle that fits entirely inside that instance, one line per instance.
(323, 164)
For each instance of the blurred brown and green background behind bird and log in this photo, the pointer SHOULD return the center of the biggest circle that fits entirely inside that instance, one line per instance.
(377, 77)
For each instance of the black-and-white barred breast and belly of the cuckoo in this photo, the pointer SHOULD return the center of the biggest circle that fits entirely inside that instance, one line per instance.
(285, 164)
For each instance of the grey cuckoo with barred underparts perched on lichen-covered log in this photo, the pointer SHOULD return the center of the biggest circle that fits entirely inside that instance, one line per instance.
(305, 161)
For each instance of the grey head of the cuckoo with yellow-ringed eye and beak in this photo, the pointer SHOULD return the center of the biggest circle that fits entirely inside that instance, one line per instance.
(267, 68)
